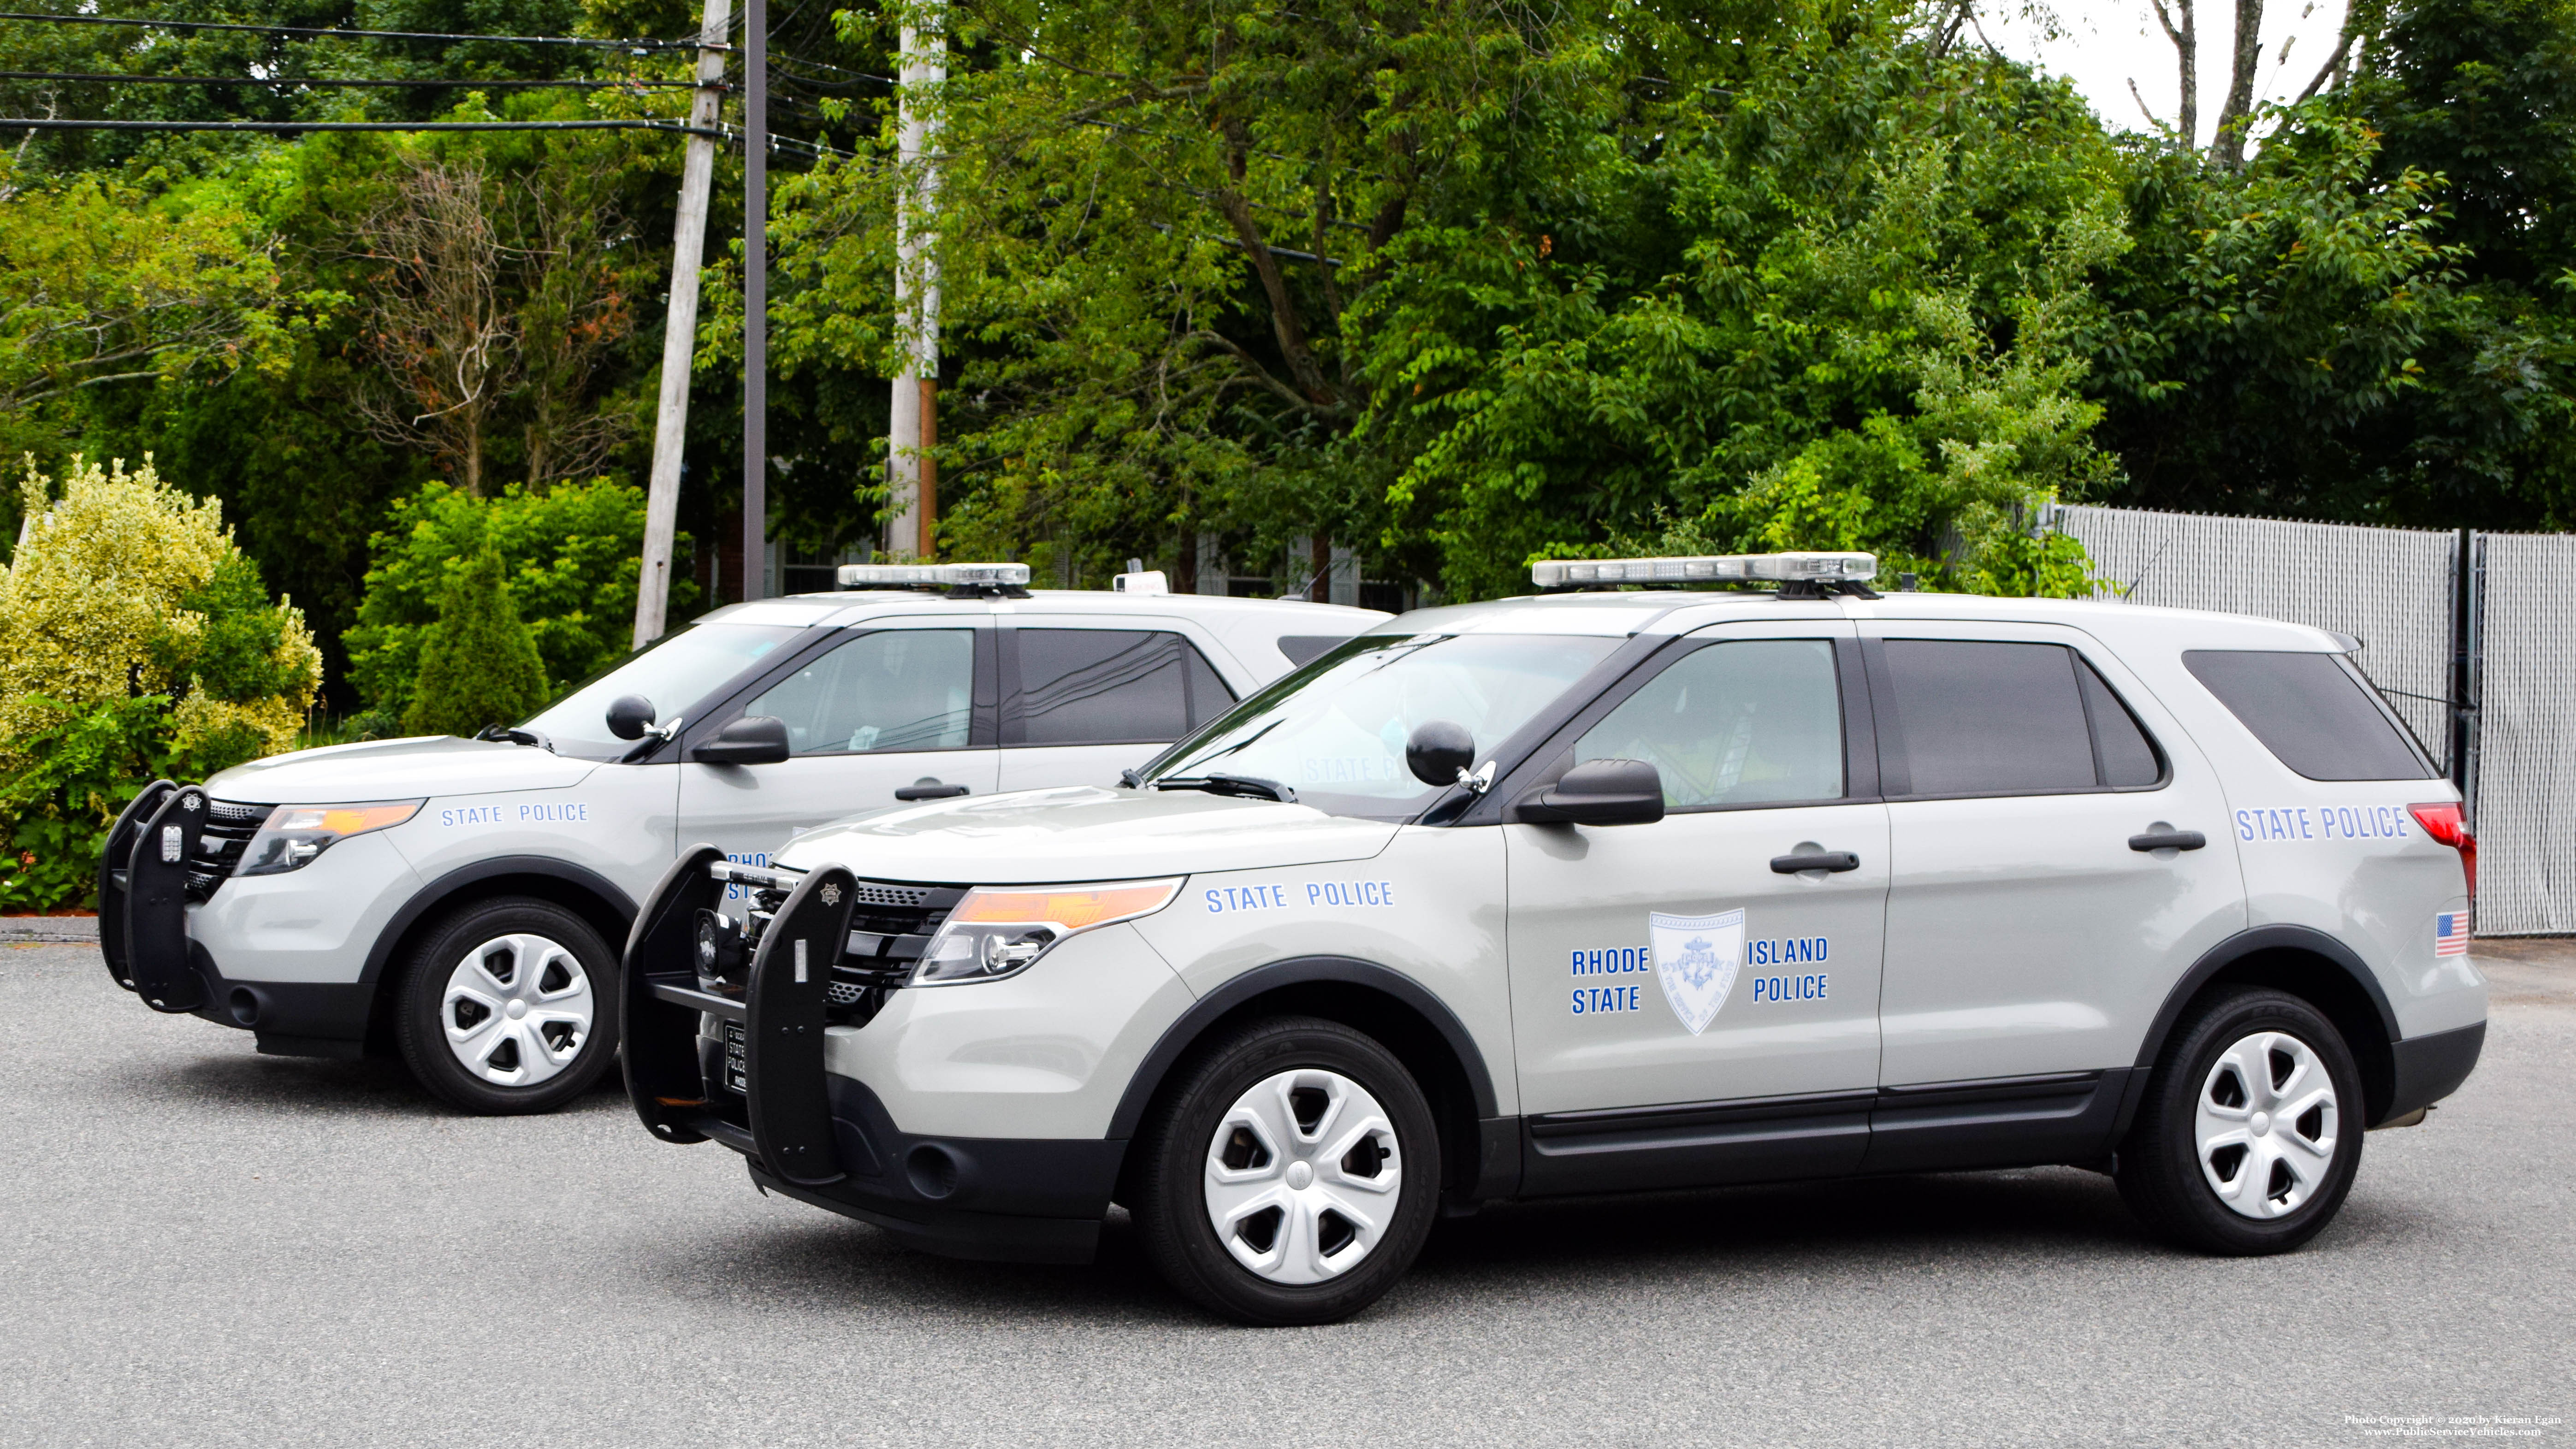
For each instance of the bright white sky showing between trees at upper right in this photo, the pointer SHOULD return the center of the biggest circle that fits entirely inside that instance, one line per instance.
(2106, 45)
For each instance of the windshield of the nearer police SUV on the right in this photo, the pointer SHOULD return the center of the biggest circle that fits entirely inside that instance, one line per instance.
(1336, 730)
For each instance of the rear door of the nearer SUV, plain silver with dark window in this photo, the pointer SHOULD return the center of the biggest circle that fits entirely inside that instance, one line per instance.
(2031, 933)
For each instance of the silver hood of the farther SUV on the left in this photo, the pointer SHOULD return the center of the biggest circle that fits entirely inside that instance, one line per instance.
(398, 771)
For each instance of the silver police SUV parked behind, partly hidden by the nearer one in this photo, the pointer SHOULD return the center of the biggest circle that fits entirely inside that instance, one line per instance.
(462, 902)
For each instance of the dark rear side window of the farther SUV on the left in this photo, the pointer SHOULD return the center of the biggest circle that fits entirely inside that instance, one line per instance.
(1114, 686)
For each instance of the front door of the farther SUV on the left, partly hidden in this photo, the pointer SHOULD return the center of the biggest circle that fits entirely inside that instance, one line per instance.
(893, 709)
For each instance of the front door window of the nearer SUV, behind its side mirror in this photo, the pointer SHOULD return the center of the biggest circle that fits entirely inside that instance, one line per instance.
(1735, 724)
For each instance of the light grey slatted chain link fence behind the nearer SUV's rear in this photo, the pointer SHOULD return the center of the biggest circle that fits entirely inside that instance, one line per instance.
(2510, 637)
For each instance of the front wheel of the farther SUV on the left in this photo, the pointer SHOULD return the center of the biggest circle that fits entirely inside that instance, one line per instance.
(509, 1008)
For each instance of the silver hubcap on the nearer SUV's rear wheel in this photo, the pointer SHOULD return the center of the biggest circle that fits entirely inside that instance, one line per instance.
(2266, 1126)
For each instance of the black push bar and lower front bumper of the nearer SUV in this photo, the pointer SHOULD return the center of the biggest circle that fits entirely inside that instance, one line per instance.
(756, 1082)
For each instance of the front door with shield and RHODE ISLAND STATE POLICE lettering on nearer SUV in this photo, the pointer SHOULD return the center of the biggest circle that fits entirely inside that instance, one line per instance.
(1691, 1005)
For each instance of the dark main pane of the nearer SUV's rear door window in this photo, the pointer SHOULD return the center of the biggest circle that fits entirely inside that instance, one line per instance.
(1990, 719)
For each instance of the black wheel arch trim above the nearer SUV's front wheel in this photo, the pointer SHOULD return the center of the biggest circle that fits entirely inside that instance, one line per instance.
(1392, 1008)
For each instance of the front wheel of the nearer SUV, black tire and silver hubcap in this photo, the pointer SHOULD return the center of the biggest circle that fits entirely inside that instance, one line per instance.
(1292, 1175)
